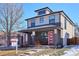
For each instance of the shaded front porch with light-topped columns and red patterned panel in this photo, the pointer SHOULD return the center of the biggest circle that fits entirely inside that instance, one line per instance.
(43, 36)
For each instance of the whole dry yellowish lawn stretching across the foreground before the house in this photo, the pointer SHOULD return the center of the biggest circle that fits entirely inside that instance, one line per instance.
(48, 51)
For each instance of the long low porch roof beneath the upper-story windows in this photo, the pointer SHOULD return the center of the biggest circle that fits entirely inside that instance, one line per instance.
(42, 28)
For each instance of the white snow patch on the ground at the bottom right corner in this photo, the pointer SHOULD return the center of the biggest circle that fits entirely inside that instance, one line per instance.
(72, 51)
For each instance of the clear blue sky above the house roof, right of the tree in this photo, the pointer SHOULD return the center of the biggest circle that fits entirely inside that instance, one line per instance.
(71, 9)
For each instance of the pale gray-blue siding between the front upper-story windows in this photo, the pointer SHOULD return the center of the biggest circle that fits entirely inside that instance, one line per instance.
(46, 20)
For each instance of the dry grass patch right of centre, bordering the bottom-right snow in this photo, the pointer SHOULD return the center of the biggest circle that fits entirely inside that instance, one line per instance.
(51, 52)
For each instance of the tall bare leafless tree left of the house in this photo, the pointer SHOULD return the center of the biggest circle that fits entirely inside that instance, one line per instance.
(10, 15)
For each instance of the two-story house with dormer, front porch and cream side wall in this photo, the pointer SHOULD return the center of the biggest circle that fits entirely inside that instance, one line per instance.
(49, 28)
